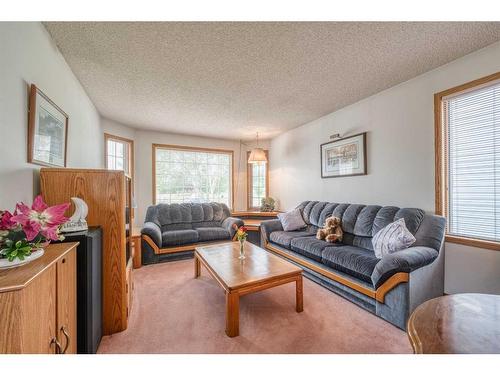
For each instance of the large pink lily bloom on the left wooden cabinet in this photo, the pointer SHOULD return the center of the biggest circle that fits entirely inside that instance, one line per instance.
(40, 219)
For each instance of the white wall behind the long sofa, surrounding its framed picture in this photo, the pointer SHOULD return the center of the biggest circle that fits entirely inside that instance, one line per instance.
(400, 148)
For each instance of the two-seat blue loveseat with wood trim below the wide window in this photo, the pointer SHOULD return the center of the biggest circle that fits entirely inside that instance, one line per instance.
(172, 231)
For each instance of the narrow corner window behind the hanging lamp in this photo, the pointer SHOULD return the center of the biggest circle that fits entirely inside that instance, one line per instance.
(258, 183)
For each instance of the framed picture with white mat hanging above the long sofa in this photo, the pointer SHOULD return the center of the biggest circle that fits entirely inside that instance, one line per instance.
(344, 157)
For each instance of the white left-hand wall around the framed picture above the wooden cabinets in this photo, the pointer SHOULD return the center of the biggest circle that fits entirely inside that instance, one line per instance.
(28, 55)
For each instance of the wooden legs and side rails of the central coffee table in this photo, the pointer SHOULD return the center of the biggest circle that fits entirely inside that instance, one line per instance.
(233, 294)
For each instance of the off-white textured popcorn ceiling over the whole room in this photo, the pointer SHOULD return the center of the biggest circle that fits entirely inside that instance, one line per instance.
(230, 80)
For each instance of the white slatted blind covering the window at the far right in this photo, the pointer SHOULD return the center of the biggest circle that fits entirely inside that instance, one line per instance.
(473, 151)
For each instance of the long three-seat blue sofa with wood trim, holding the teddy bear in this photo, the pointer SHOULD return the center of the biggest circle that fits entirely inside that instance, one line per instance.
(391, 287)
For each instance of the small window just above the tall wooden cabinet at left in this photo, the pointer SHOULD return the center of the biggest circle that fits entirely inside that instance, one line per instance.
(119, 153)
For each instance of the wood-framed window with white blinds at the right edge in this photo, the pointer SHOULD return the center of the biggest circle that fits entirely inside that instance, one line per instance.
(468, 134)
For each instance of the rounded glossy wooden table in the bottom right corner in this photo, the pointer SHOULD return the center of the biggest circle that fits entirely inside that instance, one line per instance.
(458, 323)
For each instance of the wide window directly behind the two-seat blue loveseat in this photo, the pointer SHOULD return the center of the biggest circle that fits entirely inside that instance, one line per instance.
(184, 174)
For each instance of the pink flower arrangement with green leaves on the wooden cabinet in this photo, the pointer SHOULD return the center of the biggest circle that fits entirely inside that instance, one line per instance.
(29, 229)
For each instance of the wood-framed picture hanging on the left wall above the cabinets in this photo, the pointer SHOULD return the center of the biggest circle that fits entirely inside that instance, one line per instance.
(47, 131)
